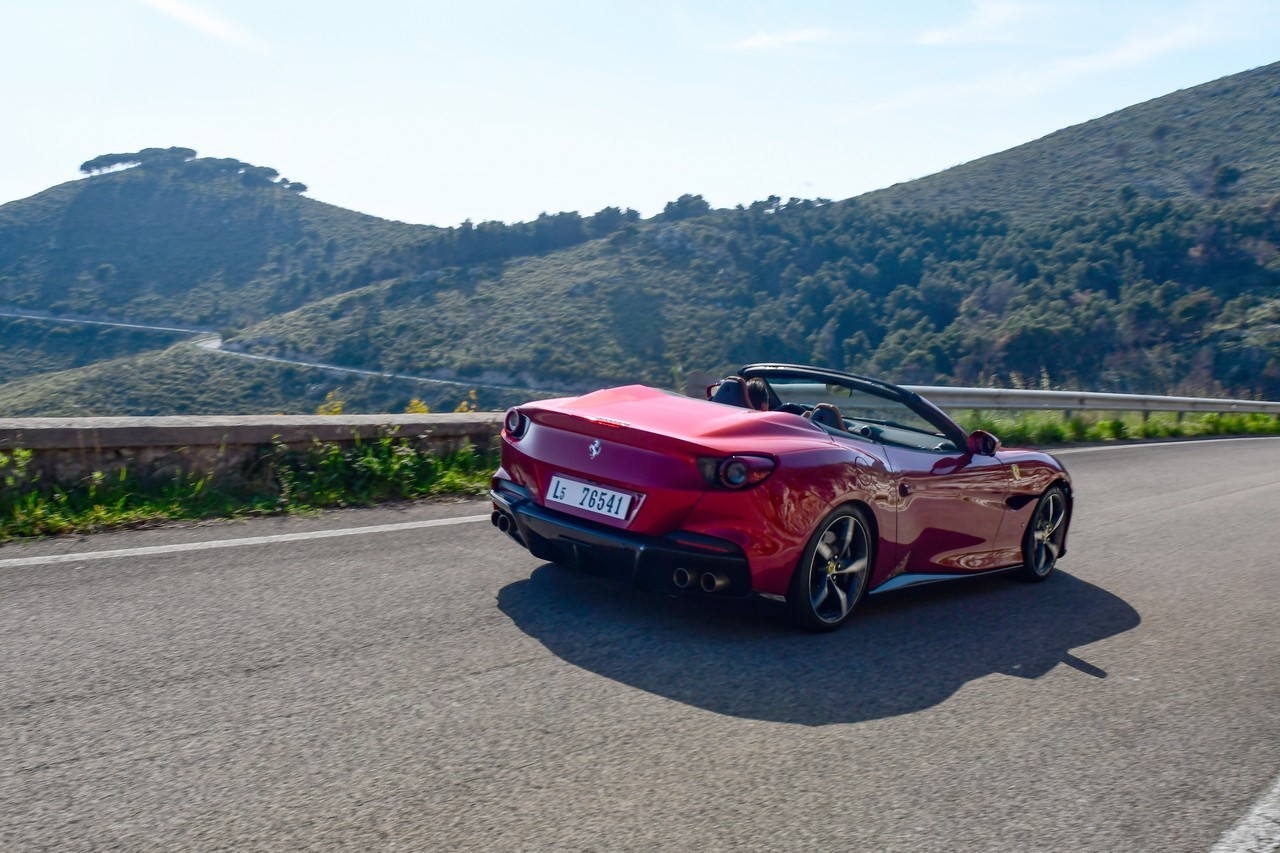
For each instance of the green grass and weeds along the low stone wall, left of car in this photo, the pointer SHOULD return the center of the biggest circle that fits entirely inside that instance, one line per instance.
(323, 476)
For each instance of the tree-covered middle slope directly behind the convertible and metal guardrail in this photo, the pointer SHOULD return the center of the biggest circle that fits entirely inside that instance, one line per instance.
(1145, 298)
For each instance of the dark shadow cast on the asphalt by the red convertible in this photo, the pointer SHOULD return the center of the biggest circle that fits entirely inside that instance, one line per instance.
(902, 653)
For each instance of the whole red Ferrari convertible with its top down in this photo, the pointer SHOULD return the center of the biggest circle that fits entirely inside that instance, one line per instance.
(811, 486)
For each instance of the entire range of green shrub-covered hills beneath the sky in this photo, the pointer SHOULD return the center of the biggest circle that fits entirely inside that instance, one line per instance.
(1136, 253)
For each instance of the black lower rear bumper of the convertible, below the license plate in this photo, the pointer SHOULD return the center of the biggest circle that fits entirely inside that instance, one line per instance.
(634, 558)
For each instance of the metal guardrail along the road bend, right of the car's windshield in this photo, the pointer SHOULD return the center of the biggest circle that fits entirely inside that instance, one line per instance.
(949, 398)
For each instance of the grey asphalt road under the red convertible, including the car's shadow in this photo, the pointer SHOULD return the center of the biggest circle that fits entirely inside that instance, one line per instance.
(437, 688)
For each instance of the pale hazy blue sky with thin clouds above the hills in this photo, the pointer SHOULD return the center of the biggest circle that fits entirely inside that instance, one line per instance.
(441, 112)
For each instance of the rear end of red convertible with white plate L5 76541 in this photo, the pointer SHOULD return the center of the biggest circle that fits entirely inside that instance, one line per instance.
(610, 480)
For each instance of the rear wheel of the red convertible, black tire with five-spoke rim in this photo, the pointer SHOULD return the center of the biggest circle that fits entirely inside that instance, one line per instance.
(833, 574)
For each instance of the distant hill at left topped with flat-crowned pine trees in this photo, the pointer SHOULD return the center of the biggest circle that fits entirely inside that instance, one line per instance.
(184, 240)
